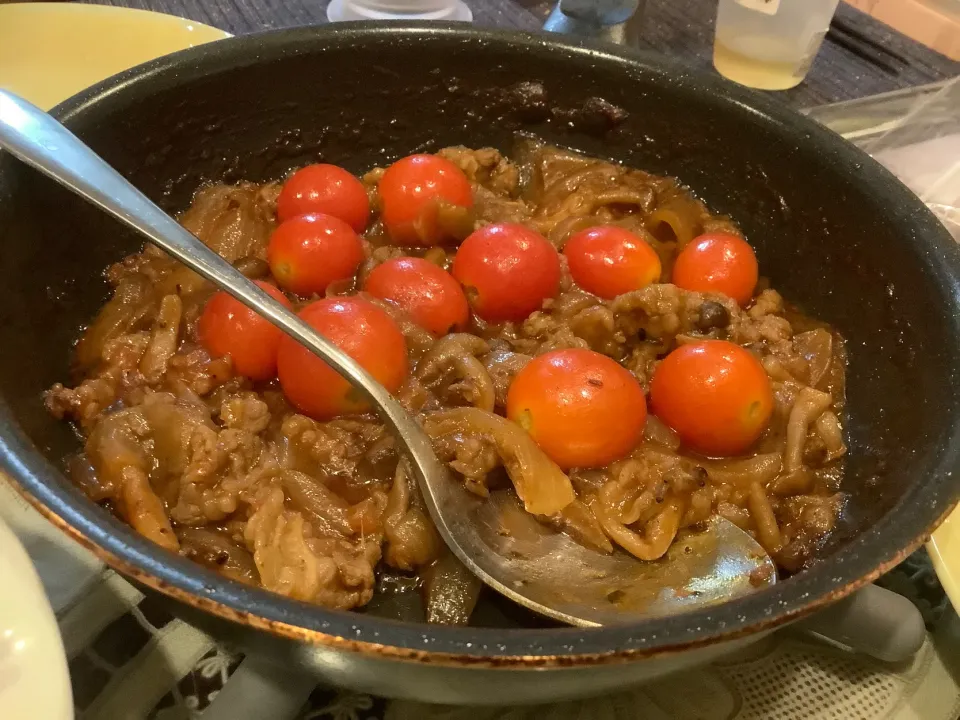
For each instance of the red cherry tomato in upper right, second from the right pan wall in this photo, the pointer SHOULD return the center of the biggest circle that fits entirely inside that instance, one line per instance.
(609, 261)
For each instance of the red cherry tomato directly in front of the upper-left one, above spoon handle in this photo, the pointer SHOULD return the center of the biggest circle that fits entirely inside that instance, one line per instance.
(308, 252)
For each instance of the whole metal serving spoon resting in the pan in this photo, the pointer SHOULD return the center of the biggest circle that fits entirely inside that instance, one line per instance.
(543, 570)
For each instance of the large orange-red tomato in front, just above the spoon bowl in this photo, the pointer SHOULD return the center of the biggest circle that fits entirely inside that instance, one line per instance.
(582, 408)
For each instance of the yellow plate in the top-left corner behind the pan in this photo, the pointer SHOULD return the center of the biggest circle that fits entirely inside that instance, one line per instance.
(50, 51)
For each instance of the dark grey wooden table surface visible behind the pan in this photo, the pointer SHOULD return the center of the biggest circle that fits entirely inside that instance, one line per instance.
(871, 58)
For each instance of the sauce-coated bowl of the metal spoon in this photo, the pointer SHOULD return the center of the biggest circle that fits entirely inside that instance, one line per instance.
(550, 573)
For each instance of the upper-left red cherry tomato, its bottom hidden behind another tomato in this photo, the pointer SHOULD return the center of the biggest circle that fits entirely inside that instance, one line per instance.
(325, 189)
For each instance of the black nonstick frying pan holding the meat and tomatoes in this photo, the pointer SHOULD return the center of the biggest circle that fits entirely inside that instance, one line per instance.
(836, 233)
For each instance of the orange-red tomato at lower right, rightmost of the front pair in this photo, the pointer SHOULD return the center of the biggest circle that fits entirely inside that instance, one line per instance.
(715, 395)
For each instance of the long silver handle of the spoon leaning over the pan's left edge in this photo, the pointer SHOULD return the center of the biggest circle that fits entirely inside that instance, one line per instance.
(33, 136)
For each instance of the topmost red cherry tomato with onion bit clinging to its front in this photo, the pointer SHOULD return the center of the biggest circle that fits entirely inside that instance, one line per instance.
(425, 200)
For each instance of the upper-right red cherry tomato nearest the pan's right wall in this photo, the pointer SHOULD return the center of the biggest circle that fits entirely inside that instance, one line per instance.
(720, 263)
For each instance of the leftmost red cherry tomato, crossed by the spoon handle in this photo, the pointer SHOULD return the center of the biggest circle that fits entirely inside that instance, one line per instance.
(228, 327)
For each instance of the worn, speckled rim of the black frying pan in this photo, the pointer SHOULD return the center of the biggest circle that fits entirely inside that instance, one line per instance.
(828, 581)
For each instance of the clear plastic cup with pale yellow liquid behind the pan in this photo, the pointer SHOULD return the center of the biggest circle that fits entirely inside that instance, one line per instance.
(770, 44)
